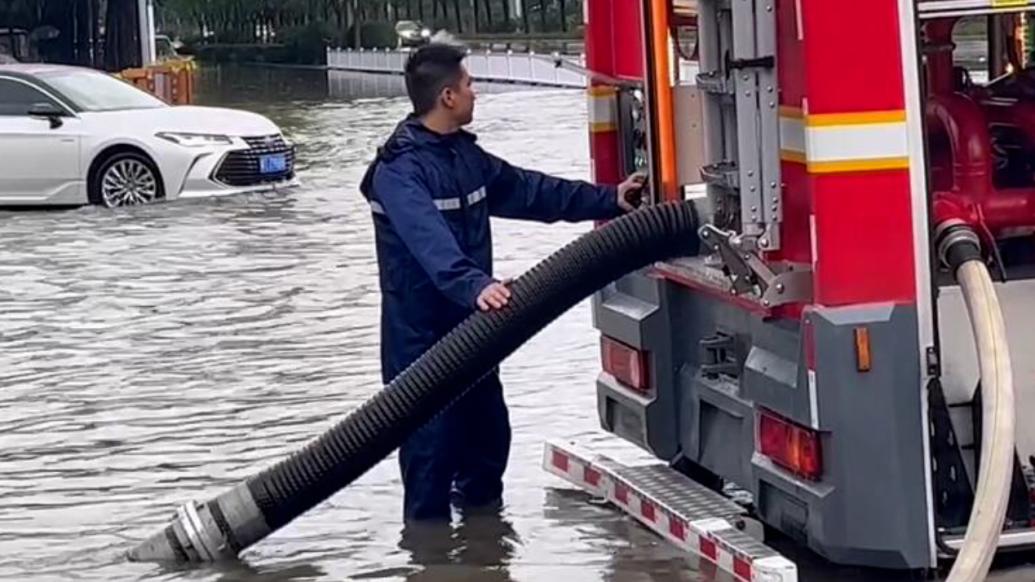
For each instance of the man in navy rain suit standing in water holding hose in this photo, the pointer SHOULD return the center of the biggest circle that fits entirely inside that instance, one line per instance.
(432, 191)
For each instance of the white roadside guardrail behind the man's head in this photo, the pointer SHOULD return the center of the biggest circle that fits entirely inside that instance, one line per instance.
(525, 69)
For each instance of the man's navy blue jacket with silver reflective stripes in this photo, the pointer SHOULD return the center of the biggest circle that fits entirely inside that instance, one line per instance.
(432, 196)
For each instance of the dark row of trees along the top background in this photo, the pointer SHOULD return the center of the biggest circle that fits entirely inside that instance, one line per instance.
(104, 34)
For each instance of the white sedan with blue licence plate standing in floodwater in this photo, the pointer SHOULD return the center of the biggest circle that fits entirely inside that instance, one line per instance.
(72, 136)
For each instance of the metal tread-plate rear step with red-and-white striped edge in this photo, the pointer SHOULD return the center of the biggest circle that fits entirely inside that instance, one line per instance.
(693, 517)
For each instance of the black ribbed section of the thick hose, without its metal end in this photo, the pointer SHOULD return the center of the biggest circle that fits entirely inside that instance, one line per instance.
(371, 433)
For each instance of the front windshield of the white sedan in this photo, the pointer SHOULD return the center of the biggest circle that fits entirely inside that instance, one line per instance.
(97, 92)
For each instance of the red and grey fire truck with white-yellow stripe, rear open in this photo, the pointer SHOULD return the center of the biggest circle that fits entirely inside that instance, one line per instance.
(842, 356)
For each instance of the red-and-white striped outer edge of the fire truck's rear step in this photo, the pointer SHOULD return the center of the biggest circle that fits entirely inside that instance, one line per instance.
(715, 540)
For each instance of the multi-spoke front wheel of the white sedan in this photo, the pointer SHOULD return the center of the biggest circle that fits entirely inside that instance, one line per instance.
(126, 180)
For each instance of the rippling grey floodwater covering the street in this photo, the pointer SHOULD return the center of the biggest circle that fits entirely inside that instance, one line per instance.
(160, 355)
